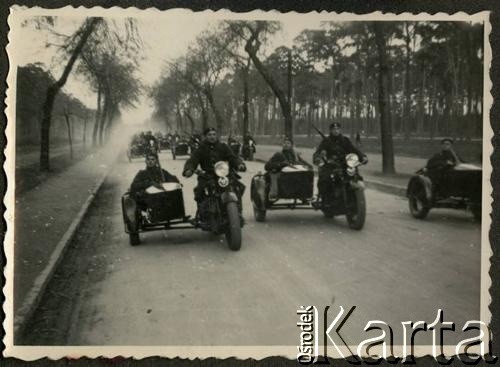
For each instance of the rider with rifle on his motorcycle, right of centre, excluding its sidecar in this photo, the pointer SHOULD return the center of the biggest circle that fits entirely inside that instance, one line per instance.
(340, 186)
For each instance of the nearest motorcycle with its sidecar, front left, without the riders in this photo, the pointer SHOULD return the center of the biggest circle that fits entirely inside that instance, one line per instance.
(163, 208)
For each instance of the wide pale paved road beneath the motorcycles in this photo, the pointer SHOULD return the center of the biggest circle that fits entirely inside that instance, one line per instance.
(187, 288)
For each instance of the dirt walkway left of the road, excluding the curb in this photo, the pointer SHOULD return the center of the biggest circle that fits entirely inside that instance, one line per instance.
(44, 213)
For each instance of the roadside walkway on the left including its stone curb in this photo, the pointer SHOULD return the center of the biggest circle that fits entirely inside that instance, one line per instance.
(52, 213)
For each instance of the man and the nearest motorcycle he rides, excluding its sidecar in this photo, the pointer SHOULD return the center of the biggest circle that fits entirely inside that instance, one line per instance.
(219, 190)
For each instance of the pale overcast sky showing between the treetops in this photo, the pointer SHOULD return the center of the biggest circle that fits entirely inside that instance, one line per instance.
(165, 38)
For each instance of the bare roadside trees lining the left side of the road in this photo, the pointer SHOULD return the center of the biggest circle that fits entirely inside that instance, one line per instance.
(105, 52)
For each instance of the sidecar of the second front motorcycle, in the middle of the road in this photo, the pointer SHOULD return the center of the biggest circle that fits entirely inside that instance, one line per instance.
(295, 191)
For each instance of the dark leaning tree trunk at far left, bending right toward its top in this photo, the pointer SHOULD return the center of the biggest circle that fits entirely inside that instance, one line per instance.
(54, 89)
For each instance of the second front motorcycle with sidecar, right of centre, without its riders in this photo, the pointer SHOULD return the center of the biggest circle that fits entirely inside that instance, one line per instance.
(295, 191)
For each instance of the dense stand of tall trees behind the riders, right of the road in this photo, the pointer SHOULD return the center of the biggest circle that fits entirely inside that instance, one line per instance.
(377, 78)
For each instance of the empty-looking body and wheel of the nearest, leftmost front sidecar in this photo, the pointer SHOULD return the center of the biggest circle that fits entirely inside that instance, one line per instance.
(154, 210)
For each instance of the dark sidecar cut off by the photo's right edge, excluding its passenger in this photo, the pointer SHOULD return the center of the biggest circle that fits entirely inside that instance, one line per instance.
(460, 187)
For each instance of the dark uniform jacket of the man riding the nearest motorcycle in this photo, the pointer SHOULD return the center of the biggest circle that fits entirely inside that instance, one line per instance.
(208, 154)
